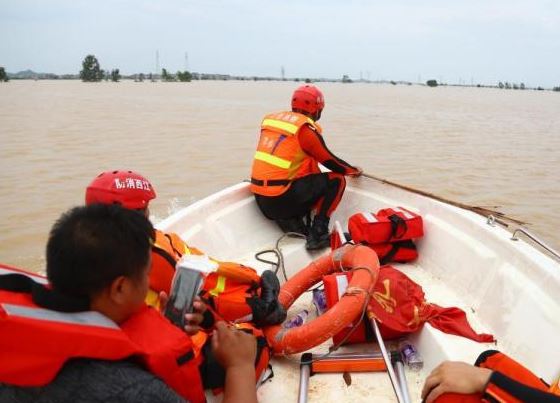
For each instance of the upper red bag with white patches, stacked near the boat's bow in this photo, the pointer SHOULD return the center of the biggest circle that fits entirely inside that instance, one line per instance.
(388, 225)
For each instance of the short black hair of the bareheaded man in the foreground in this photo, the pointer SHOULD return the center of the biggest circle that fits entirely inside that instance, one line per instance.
(90, 246)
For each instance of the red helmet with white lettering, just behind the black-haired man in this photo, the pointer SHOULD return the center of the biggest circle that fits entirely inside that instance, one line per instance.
(126, 188)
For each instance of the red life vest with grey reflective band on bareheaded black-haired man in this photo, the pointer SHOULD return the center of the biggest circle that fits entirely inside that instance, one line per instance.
(37, 342)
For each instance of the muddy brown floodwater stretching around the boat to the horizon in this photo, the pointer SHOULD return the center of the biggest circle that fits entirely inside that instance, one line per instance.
(479, 146)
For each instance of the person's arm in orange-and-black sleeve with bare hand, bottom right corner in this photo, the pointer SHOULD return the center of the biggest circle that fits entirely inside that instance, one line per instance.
(495, 377)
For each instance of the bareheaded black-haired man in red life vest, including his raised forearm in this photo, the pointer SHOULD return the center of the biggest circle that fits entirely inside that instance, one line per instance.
(90, 337)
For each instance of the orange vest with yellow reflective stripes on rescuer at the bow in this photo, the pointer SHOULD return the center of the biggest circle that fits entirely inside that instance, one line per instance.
(279, 158)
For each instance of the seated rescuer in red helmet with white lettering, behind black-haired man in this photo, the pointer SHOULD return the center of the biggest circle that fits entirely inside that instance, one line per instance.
(231, 298)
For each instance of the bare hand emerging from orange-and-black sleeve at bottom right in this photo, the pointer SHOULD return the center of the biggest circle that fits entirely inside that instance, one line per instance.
(455, 377)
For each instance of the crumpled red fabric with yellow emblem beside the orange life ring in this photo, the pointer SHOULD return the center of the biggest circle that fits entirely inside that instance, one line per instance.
(399, 305)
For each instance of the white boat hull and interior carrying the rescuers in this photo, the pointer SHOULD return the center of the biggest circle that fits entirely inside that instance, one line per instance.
(508, 288)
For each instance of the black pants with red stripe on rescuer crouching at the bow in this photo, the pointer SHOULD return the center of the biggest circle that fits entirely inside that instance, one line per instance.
(322, 191)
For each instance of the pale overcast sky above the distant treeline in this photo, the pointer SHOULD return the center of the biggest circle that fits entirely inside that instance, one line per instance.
(480, 40)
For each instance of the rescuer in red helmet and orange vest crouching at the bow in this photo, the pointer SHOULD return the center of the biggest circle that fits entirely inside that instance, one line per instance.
(286, 178)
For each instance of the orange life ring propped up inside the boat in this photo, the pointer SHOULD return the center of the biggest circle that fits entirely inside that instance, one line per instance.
(349, 307)
